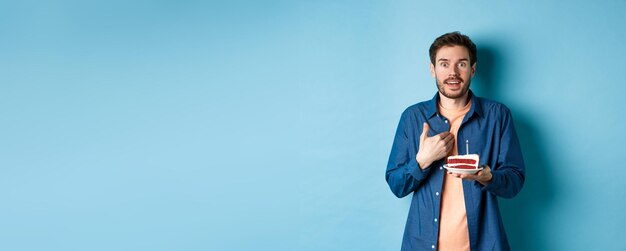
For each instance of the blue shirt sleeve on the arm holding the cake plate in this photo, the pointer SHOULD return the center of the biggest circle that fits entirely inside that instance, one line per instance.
(509, 172)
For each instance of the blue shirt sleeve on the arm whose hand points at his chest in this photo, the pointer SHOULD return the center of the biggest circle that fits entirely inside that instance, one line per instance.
(403, 172)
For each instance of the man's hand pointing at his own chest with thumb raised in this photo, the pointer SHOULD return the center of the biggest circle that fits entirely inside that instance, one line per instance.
(433, 148)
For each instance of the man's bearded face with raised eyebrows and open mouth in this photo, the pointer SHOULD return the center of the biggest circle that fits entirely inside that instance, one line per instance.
(452, 71)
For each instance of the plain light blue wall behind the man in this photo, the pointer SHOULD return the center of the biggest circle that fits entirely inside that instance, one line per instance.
(243, 125)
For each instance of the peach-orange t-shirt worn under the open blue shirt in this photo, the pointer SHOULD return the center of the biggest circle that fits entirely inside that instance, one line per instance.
(453, 231)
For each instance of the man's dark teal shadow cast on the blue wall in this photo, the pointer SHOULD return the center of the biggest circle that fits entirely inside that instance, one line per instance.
(524, 215)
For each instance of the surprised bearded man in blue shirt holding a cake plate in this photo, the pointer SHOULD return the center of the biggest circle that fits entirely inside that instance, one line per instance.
(452, 211)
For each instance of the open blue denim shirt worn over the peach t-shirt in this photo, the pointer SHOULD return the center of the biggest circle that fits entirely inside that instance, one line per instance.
(488, 126)
